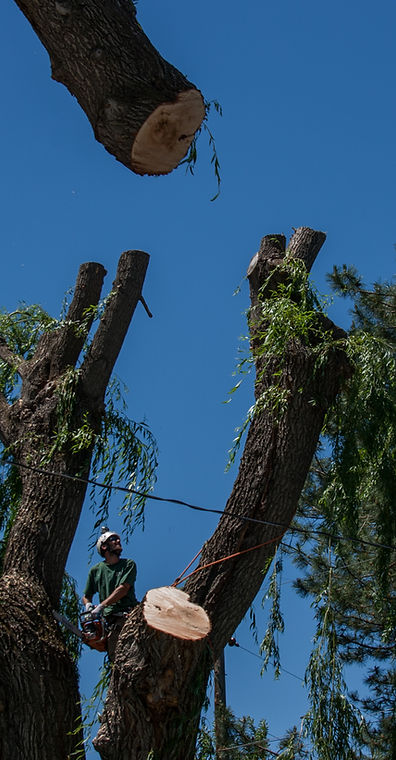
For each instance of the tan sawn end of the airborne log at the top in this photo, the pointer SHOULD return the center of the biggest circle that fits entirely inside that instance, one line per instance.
(167, 134)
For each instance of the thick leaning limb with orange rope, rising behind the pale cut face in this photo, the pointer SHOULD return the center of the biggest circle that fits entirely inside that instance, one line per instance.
(275, 461)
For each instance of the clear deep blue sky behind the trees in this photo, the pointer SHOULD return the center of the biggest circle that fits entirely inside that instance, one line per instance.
(306, 138)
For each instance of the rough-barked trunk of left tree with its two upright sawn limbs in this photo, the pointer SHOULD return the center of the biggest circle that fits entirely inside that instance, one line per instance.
(39, 689)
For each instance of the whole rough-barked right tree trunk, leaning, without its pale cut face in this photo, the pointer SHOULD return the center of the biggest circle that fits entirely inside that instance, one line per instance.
(159, 683)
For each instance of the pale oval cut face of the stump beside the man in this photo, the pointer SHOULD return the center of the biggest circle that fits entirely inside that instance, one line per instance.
(169, 610)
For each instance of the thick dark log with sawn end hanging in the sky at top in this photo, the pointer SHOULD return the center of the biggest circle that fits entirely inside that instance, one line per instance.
(142, 109)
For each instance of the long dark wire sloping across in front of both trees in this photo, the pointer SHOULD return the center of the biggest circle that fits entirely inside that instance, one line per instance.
(197, 508)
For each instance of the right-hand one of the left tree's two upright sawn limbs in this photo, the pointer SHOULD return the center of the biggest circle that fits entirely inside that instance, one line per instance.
(126, 293)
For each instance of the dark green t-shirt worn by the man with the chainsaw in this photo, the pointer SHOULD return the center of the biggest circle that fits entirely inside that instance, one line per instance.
(103, 579)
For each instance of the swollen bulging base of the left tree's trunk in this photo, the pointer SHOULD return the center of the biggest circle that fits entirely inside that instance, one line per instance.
(39, 697)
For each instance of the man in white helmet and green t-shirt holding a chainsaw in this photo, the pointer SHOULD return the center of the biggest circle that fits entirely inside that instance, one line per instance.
(114, 581)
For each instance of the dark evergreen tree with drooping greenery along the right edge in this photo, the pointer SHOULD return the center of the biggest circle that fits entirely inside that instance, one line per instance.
(349, 568)
